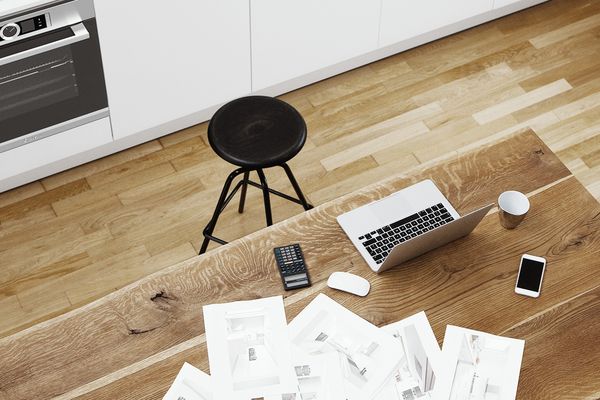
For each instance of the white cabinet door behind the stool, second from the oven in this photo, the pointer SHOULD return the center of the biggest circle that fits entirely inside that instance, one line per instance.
(291, 38)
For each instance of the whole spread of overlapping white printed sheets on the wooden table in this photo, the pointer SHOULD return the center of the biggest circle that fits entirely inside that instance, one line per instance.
(329, 353)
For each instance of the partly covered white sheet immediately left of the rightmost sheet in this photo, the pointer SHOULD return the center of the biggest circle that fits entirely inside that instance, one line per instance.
(420, 364)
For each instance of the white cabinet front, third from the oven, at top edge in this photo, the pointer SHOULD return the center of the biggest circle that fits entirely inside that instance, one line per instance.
(404, 19)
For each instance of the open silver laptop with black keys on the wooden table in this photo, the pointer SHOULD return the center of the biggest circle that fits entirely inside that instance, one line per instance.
(406, 224)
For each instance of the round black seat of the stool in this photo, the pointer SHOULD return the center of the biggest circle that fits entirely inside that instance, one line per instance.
(257, 132)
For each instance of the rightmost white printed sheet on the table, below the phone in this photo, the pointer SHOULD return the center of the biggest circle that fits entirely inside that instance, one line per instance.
(479, 366)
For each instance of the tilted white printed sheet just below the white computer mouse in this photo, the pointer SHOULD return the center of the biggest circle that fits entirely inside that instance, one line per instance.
(367, 355)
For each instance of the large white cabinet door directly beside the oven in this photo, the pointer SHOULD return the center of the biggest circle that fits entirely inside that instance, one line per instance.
(165, 60)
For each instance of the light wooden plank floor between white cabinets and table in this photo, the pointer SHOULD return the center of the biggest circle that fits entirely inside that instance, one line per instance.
(78, 235)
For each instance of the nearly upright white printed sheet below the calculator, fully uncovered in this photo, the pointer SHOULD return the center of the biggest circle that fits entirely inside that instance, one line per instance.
(249, 349)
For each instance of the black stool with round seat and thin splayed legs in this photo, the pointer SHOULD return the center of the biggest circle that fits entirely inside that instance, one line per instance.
(254, 133)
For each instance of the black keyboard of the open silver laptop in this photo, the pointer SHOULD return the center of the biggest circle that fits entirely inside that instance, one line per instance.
(380, 242)
